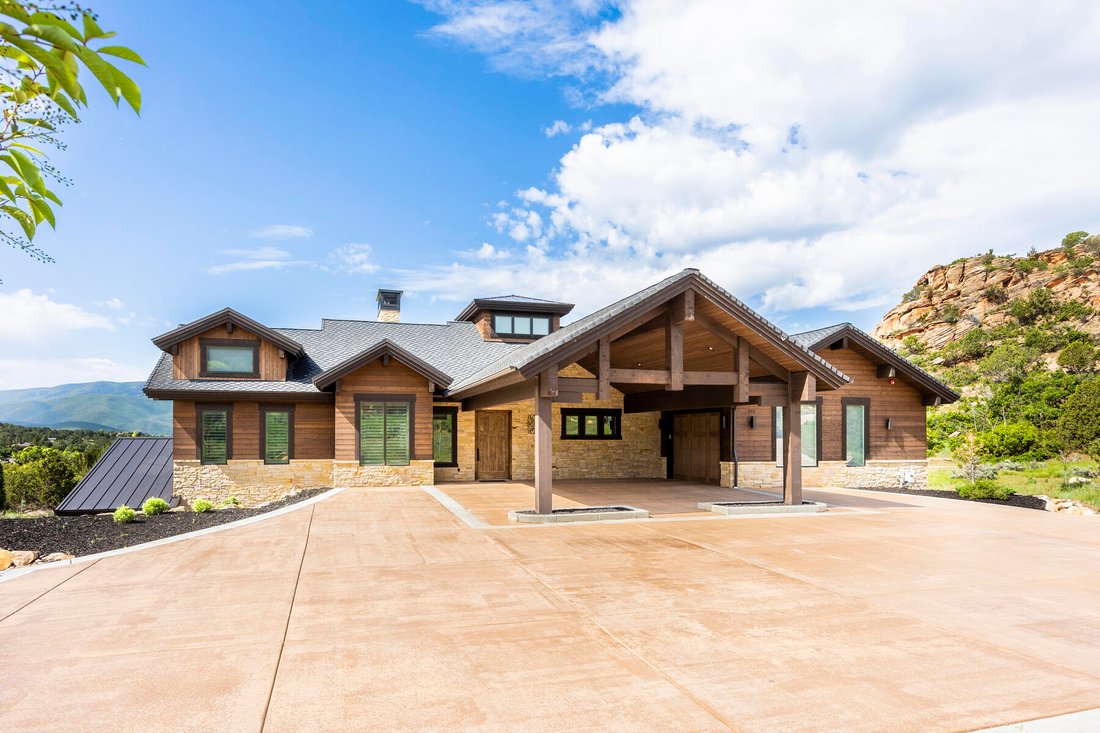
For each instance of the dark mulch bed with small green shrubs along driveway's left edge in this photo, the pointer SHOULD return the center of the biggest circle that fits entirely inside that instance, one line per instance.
(97, 533)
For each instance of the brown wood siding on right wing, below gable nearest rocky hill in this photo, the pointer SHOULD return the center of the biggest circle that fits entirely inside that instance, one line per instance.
(907, 441)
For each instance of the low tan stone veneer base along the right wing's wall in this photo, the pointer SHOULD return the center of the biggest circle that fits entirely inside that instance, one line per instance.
(839, 475)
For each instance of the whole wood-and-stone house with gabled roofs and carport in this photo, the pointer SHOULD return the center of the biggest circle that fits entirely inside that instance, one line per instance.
(680, 380)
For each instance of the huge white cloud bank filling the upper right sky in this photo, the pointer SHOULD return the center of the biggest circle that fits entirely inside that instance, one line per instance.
(804, 158)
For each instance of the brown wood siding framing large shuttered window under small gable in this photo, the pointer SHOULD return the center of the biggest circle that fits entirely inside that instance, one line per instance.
(393, 380)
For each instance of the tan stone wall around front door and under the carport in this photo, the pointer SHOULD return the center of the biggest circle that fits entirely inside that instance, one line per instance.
(636, 456)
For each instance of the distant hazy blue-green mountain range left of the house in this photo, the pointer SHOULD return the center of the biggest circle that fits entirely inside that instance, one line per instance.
(92, 406)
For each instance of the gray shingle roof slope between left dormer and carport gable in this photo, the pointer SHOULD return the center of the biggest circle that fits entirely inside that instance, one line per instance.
(455, 348)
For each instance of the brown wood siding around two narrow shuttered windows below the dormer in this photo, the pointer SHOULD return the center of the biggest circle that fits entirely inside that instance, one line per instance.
(313, 431)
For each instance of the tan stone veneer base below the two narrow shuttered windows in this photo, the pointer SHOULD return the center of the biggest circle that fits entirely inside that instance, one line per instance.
(251, 482)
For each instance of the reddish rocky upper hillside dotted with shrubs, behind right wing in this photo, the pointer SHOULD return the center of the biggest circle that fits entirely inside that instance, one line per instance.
(989, 291)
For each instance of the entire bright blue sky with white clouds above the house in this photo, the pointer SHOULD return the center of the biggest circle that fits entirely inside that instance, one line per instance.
(293, 158)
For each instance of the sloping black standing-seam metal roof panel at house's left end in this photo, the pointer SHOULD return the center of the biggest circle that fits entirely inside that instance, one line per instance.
(131, 472)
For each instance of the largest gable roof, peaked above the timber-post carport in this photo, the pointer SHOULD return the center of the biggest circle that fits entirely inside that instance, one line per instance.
(533, 358)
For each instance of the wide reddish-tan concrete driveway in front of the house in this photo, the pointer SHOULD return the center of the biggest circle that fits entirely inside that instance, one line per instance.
(381, 610)
